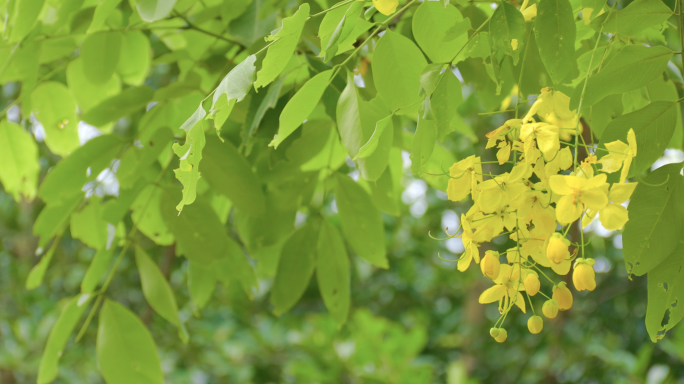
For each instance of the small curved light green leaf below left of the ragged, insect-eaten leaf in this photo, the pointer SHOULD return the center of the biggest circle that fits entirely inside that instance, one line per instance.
(147, 216)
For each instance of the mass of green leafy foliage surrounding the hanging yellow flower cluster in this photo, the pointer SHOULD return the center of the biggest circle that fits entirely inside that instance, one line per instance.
(102, 99)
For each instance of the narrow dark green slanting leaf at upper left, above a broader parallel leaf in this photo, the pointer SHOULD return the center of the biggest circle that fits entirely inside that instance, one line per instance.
(116, 107)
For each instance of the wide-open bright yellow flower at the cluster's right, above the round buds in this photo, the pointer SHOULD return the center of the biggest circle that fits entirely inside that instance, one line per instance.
(578, 193)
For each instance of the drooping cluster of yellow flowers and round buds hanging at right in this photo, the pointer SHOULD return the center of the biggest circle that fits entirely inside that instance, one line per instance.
(535, 204)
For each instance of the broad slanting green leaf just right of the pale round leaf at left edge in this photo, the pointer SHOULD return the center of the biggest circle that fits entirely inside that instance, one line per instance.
(70, 175)
